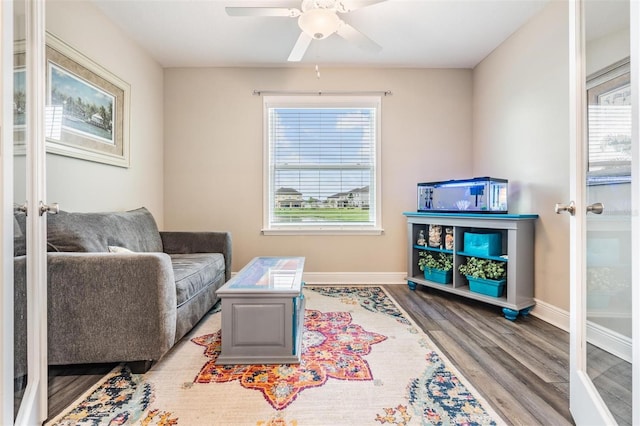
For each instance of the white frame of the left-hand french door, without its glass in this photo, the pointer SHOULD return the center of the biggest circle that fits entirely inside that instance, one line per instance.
(33, 410)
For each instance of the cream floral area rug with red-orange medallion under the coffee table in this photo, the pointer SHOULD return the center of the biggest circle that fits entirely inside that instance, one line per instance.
(363, 362)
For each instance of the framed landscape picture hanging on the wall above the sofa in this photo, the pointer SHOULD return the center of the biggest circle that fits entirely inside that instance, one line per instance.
(94, 107)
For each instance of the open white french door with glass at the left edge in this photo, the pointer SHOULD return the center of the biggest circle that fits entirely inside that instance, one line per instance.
(23, 302)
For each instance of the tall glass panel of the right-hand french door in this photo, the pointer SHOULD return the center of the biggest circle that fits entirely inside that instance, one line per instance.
(606, 145)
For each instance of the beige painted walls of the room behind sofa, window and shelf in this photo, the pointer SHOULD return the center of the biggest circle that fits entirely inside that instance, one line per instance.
(507, 118)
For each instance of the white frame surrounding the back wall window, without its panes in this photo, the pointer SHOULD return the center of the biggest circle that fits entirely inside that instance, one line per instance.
(324, 101)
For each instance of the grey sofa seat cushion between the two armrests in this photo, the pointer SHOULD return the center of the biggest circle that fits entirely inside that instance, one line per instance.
(194, 272)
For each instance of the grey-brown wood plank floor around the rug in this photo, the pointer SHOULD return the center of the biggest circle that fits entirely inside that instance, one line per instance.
(521, 368)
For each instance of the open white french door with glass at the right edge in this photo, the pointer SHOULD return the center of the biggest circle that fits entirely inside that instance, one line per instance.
(605, 218)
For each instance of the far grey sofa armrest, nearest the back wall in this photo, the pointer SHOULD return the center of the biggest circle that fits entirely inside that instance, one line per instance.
(199, 242)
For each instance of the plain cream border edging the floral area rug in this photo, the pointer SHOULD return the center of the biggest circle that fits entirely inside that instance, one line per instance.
(479, 397)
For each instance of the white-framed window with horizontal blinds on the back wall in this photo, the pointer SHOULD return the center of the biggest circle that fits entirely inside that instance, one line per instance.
(322, 164)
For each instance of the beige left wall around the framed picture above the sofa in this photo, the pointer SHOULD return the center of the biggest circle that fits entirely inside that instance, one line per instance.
(80, 185)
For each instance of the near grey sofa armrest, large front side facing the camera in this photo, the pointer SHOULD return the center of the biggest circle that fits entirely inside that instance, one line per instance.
(106, 307)
